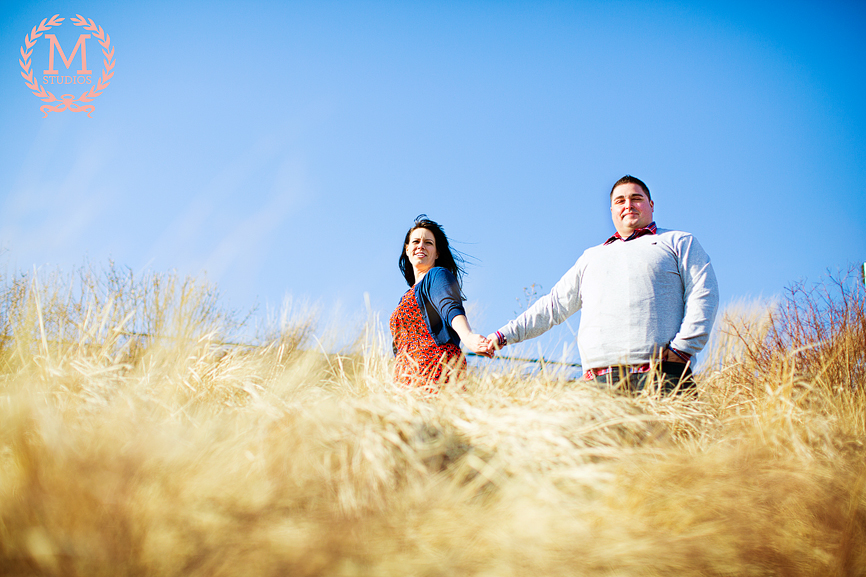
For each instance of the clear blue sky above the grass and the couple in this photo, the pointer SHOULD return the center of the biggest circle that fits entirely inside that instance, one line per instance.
(284, 148)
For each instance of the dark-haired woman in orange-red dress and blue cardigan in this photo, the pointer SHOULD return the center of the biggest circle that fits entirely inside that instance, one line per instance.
(430, 321)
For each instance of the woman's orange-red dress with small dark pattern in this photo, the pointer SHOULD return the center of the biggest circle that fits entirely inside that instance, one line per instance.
(420, 361)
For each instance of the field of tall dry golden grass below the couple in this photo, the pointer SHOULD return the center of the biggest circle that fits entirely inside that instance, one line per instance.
(136, 439)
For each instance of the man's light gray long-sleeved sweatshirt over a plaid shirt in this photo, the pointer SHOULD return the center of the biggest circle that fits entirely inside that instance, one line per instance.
(636, 297)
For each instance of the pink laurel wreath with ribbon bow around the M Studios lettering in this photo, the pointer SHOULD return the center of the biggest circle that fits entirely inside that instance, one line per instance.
(67, 101)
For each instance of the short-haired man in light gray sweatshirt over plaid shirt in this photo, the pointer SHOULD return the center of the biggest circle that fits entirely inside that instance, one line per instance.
(648, 298)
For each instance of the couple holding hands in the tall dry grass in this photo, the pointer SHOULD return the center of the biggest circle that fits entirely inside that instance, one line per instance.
(648, 298)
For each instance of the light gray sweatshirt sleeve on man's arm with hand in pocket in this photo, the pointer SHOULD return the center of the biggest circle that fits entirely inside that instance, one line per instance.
(700, 297)
